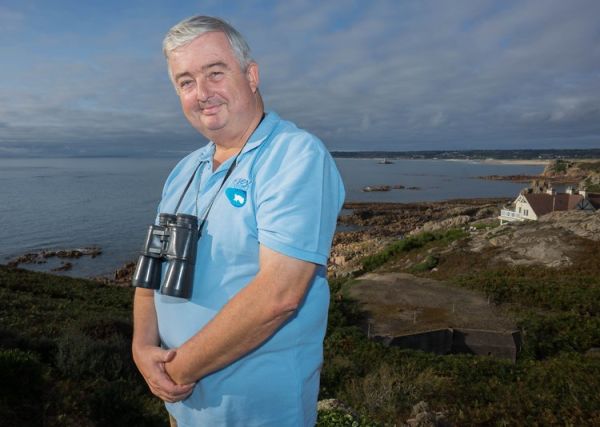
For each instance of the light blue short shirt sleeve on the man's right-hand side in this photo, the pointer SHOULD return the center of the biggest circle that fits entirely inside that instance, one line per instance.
(299, 194)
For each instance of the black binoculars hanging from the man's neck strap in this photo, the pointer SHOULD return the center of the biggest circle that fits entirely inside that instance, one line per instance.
(173, 240)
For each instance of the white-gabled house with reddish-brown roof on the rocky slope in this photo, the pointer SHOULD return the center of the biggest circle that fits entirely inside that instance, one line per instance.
(541, 199)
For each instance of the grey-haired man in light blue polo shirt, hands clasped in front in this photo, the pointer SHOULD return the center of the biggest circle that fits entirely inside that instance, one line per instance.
(246, 348)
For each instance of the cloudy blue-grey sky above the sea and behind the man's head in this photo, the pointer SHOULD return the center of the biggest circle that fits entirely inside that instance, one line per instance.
(88, 78)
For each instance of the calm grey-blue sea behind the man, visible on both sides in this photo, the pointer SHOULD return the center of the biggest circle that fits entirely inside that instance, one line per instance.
(108, 203)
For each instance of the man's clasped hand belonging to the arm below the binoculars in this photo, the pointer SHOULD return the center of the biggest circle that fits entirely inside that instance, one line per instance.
(151, 360)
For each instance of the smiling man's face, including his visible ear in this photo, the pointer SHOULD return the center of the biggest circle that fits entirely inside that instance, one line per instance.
(217, 97)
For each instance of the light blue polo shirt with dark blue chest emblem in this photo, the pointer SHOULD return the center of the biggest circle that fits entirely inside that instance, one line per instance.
(285, 193)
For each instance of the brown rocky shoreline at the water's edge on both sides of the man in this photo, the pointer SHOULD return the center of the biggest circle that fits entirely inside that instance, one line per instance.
(368, 228)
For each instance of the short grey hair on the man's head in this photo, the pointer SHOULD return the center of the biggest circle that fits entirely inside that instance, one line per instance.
(193, 27)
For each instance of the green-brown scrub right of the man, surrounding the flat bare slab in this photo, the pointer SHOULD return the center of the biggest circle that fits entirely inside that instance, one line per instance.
(554, 381)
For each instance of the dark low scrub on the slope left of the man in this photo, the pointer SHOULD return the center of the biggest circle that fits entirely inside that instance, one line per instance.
(65, 355)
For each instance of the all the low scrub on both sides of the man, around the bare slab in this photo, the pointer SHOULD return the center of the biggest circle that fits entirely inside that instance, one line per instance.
(65, 351)
